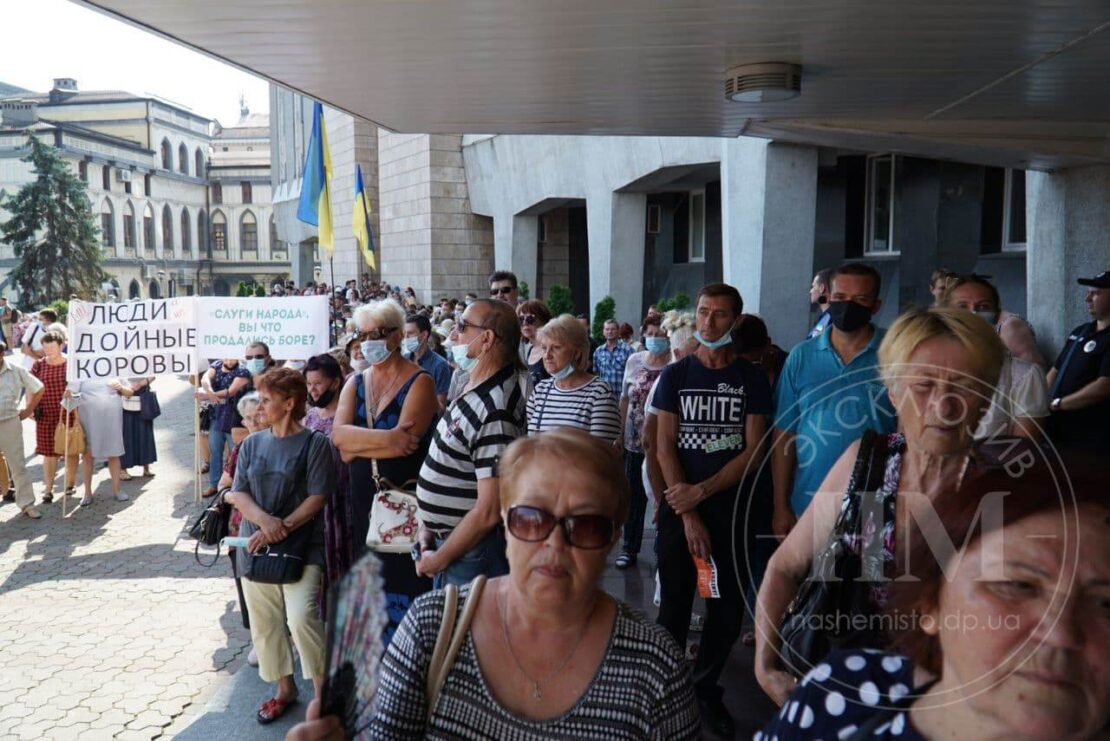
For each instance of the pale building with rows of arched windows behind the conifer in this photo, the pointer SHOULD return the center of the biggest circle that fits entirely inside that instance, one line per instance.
(147, 165)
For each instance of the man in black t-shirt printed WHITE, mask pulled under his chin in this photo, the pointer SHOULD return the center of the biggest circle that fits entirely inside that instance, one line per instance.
(712, 410)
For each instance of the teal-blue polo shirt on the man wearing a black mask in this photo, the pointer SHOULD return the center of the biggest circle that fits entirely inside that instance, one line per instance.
(829, 405)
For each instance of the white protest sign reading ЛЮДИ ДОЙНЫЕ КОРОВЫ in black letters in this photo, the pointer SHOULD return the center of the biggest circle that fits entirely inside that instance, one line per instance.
(136, 340)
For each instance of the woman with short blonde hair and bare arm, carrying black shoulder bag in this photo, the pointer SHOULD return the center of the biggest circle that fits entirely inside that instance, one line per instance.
(941, 367)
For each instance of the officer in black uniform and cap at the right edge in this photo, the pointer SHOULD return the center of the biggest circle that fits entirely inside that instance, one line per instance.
(1079, 381)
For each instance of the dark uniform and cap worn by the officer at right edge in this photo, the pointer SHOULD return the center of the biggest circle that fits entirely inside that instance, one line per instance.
(1085, 359)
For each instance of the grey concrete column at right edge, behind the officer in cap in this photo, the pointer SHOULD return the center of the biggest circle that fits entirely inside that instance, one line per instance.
(1068, 234)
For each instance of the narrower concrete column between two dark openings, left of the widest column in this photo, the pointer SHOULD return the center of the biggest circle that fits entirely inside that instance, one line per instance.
(615, 225)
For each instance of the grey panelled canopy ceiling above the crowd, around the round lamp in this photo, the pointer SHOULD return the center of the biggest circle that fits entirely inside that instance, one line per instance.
(937, 75)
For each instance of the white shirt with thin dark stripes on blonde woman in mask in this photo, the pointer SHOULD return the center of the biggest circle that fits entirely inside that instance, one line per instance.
(591, 408)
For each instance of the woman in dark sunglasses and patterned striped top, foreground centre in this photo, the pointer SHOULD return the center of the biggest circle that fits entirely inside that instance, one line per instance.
(550, 654)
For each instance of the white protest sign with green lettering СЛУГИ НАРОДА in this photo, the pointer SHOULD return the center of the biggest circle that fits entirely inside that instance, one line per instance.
(295, 328)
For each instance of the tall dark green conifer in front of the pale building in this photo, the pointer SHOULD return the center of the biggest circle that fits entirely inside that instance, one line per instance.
(53, 234)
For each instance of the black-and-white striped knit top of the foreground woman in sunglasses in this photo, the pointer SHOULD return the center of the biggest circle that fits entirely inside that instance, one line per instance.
(642, 689)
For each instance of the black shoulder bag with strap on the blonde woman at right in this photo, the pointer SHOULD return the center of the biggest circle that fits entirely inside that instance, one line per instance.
(833, 608)
